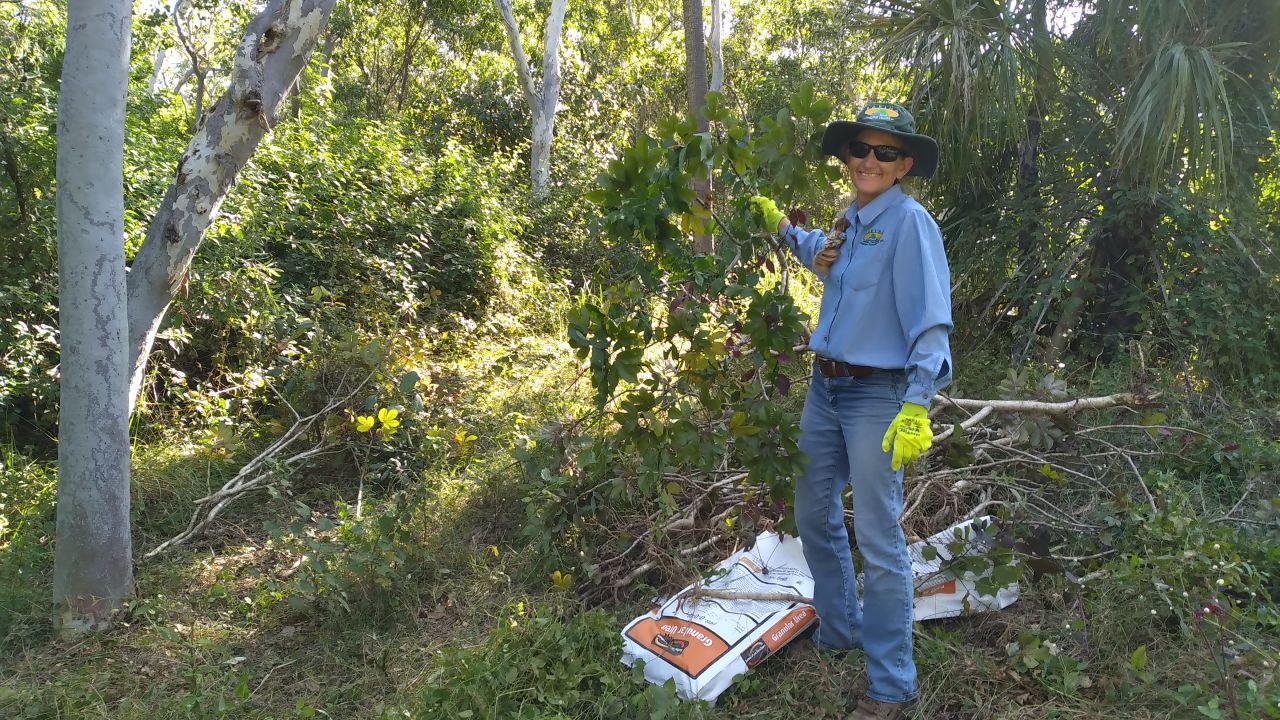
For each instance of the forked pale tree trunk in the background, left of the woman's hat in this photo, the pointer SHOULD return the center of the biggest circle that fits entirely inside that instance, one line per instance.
(545, 101)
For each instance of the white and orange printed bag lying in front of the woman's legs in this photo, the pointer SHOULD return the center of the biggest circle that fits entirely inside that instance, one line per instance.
(705, 642)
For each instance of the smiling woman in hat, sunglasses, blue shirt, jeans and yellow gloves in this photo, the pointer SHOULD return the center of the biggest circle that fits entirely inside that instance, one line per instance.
(883, 350)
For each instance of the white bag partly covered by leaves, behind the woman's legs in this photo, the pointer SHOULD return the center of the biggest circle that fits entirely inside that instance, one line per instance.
(940, 594)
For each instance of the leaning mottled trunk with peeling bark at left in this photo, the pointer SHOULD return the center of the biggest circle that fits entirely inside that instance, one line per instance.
(275, 51)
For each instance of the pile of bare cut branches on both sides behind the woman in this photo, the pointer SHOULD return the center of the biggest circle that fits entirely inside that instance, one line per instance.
(976, 466)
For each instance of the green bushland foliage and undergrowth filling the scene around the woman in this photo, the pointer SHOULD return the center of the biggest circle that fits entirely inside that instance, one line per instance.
(548, 386)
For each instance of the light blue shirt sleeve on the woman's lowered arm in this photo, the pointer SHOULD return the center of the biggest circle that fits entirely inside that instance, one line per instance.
(922, 291)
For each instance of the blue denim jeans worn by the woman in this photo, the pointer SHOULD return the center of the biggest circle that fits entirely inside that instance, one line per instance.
(842, 430)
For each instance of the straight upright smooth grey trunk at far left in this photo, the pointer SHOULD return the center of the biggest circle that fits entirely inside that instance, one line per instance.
(93, 558)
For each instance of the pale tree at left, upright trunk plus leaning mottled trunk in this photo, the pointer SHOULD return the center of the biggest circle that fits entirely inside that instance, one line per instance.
(109, 318)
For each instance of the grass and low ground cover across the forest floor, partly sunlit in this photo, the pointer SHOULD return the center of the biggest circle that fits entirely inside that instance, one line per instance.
(465, 622)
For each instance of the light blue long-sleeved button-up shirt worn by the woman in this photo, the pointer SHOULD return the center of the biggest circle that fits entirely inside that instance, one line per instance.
(886, 302)
